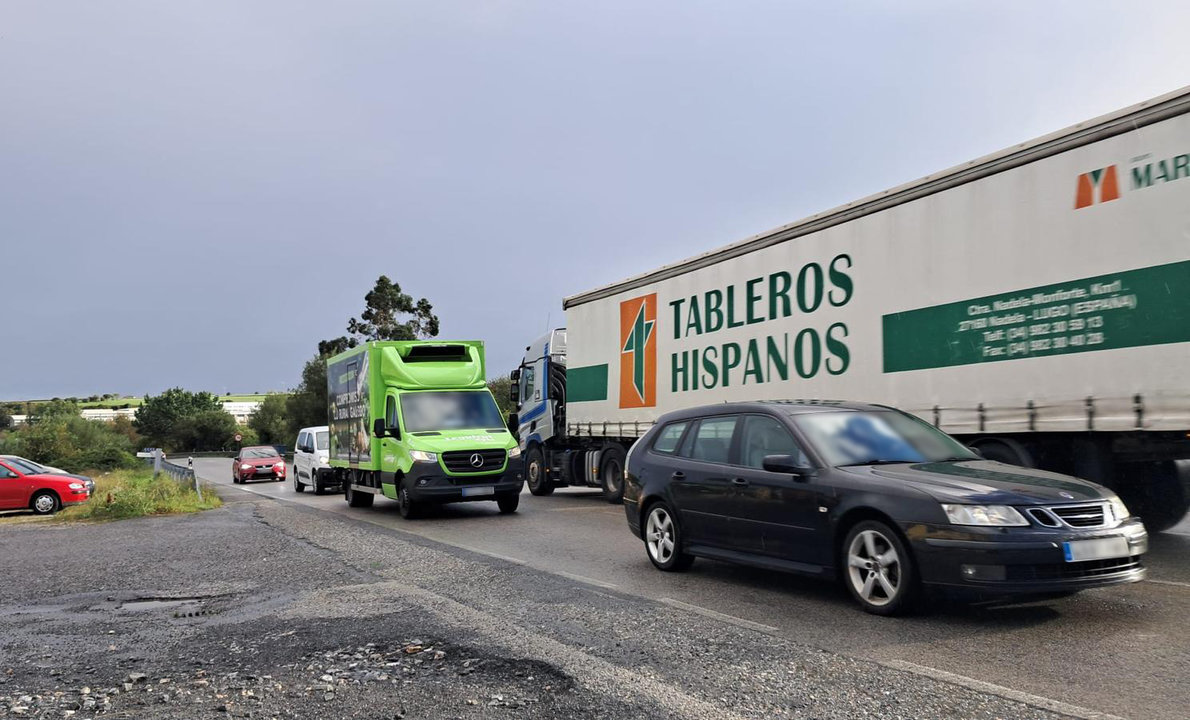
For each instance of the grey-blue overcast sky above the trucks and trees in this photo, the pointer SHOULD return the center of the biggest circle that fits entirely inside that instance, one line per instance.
(195, 193)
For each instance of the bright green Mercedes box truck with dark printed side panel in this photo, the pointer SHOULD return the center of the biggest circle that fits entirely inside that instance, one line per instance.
(415, 422)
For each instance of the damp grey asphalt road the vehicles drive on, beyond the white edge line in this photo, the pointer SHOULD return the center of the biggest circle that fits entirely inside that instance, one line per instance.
(1122, 652)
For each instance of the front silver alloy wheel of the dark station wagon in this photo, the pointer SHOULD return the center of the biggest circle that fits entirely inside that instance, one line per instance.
(879, 569)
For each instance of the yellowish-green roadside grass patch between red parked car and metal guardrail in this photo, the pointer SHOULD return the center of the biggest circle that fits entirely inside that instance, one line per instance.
(136, 493)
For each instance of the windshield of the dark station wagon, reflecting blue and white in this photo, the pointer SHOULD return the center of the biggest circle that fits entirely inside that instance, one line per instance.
(878, 437)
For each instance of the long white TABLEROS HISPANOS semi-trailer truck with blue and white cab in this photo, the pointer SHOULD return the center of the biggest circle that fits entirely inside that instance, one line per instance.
(1035, 303)
